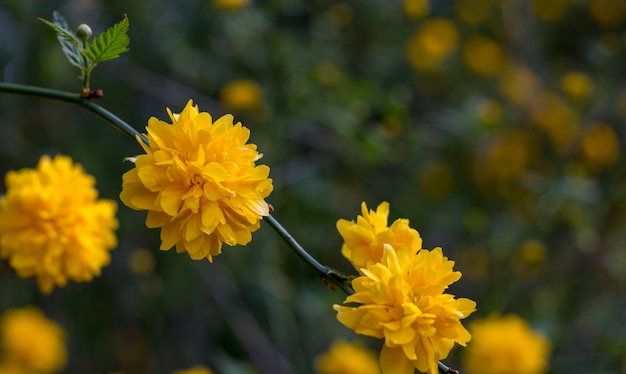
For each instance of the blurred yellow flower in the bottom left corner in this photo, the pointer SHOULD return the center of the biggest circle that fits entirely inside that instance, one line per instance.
(30, 342)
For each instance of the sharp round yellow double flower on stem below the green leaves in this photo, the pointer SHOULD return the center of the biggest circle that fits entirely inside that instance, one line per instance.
(199, 183)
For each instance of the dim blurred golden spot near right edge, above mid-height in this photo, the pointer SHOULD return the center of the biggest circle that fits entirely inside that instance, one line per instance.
(600, 145)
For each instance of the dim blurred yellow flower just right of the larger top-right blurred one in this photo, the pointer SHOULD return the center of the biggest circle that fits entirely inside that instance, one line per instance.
(483, 55)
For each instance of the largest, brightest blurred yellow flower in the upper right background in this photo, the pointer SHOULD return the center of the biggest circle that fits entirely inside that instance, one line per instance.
(433, 42)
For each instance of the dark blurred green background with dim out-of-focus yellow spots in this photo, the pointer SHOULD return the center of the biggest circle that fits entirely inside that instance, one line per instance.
(494, 126)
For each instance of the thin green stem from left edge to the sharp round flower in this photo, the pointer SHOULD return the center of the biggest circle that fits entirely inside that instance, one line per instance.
(69, 97)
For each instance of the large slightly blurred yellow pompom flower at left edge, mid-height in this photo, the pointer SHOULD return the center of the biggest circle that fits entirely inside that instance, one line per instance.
(52, 225)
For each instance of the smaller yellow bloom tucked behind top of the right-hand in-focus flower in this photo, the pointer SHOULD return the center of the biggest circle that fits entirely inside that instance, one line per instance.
(365, 238)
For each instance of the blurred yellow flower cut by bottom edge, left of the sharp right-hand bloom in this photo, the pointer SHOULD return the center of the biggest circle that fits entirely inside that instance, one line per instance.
(347, 358)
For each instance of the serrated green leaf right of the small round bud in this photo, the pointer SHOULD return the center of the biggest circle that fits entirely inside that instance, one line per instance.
(110, 44)
